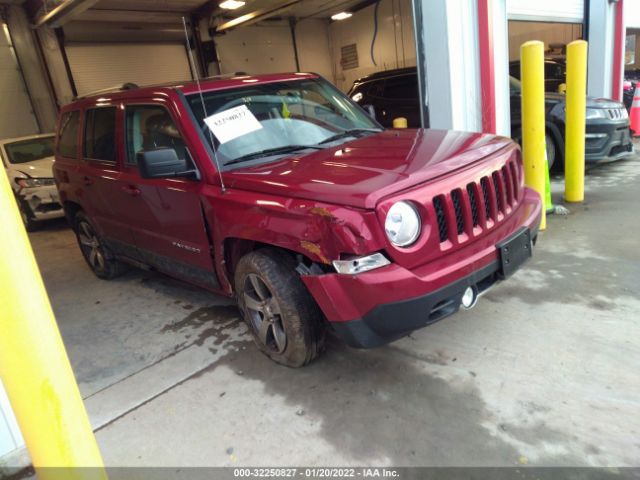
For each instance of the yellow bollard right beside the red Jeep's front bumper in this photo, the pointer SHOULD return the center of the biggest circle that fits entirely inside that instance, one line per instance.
(533, 127)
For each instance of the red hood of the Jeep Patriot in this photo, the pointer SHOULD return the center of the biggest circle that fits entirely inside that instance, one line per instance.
(361, 172)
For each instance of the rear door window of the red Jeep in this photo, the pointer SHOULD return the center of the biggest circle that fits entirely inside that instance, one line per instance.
(100, 134)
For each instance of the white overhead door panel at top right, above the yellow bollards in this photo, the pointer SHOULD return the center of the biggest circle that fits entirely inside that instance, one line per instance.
(546, 10)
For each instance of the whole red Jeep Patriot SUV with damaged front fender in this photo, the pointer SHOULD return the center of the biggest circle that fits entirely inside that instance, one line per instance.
(281, 191)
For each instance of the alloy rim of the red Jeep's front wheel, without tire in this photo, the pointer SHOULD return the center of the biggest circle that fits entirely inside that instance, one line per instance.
(264, 313)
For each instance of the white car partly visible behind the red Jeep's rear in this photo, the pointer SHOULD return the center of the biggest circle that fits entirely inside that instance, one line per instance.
(28, 162)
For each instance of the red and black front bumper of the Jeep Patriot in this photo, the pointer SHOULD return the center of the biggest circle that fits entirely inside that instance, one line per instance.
(379, 306)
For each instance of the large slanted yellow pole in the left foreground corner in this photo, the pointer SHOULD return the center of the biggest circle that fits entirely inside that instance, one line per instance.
(34, 366)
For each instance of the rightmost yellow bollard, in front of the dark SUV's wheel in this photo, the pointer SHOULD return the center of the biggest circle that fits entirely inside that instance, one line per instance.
(575, 121)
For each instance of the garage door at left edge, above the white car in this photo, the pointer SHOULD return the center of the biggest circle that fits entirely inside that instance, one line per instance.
(16, 113)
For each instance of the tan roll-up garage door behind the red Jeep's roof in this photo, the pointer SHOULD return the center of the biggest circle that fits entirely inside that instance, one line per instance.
(99, 66)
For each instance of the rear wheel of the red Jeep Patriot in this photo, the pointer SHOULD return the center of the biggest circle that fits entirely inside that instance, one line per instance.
(100, 260)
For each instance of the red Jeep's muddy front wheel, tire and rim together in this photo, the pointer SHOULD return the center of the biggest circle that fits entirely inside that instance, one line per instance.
(284, 320)
